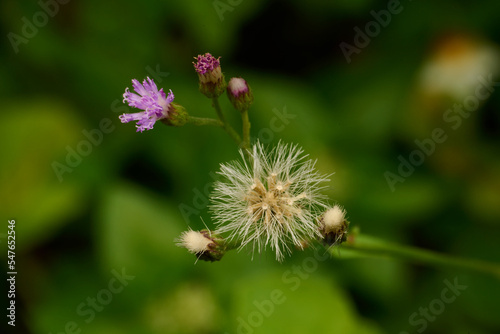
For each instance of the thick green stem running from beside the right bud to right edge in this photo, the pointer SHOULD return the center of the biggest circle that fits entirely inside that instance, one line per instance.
(367, 245)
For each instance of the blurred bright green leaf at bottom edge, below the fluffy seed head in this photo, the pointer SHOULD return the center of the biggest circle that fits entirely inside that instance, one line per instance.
(292, 302)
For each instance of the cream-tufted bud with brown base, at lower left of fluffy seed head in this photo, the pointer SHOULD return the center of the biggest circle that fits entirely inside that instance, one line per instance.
(204, 244)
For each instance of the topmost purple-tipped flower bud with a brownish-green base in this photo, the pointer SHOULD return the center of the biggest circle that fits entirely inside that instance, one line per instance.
(212, 82)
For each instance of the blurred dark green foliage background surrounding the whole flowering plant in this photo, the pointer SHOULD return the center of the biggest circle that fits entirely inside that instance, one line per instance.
(117, 208)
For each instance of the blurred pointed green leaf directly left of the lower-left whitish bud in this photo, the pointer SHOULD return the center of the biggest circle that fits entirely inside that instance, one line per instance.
(136, 230)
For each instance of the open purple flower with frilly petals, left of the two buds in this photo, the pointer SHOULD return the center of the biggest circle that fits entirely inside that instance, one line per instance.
(154, 103)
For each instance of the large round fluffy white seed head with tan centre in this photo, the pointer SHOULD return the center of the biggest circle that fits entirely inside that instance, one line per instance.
(271, 199)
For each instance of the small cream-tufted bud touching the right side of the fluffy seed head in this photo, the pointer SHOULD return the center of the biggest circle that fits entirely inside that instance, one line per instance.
(333, 226)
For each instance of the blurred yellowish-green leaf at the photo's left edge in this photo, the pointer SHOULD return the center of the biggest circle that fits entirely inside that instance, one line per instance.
(36, 133)
